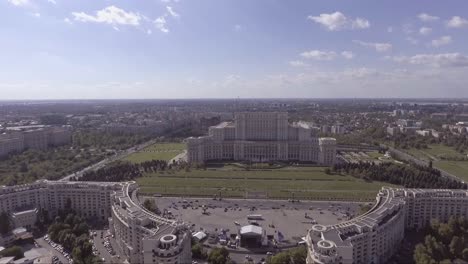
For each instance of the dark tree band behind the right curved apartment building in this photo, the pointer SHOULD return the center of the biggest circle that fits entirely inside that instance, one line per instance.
(409, 176)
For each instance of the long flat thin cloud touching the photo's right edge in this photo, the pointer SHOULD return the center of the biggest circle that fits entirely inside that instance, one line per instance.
(436, 60)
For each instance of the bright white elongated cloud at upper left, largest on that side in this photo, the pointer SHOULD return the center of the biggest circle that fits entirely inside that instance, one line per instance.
(111, 15)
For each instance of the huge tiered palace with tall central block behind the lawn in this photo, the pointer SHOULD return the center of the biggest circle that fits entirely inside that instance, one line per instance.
(262, 136)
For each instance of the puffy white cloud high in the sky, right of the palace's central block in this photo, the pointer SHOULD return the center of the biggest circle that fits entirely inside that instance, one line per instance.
(337, 21)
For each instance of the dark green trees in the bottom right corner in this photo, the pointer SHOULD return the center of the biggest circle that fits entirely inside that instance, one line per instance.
(444, 242)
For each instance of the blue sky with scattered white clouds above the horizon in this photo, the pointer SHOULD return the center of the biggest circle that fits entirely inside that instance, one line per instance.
(63, 49)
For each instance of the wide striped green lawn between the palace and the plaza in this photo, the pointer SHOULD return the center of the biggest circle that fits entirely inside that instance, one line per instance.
(305, 183)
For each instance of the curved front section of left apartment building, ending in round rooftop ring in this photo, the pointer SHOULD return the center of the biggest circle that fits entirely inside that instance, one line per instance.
(145, 237)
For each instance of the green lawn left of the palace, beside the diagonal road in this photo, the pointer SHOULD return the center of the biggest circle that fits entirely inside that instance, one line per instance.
(158, 151)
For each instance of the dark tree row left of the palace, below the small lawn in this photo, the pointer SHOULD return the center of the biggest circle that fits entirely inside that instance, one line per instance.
(123, 171)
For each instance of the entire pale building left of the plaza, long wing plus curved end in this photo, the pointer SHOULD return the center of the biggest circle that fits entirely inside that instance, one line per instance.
(141, 235)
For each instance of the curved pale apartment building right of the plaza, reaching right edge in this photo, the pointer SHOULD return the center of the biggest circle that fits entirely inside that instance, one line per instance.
(375, 236)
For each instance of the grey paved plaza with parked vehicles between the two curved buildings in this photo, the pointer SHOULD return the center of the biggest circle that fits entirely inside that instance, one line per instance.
(292, 219)
